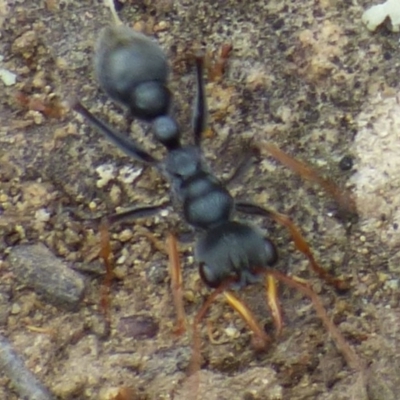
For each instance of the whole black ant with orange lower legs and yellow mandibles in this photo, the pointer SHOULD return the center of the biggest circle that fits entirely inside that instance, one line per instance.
(133, 70)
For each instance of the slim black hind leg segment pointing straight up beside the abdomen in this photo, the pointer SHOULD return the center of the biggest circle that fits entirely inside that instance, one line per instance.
(200, 105)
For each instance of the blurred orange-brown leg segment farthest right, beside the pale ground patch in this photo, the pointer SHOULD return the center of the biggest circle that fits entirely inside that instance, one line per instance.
(344, 199)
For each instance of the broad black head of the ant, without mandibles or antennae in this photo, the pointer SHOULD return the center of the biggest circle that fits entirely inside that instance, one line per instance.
(233, 251)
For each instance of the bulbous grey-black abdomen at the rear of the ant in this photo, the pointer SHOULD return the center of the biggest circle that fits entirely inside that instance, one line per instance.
(133, 70)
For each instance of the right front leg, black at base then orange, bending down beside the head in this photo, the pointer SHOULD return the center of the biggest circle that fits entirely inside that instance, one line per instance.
(299, 241)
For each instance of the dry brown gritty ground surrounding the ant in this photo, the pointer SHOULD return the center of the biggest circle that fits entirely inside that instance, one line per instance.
(304, 75)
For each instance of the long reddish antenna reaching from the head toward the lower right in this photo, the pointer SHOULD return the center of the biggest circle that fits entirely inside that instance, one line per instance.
(348, 353)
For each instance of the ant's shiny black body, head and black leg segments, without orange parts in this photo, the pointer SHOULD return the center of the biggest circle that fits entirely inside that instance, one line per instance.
(133, 70)
